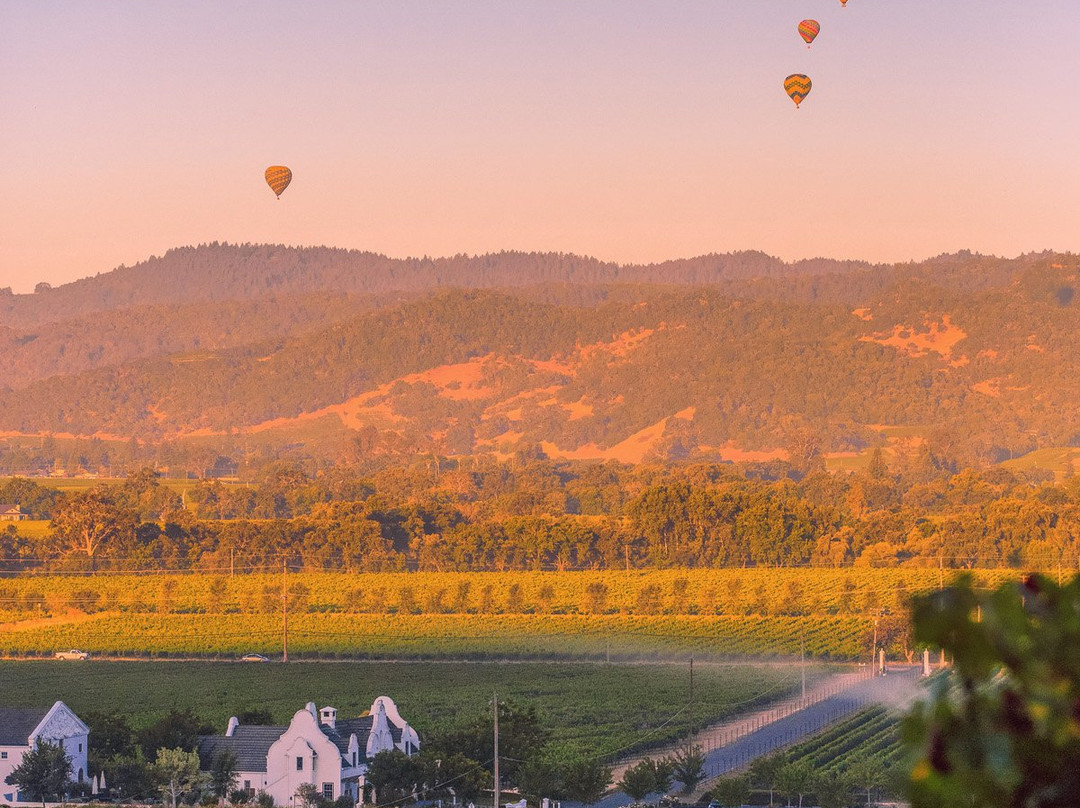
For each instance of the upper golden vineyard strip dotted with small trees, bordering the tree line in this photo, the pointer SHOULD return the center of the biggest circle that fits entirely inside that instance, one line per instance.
(762, 591)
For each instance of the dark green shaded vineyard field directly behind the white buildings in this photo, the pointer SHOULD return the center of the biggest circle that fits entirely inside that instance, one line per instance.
(600, 708)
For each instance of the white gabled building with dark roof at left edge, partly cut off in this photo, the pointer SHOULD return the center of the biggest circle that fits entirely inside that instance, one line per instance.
(21, 729)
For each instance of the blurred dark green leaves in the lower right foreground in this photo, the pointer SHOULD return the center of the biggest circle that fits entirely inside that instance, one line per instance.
(1002, 728)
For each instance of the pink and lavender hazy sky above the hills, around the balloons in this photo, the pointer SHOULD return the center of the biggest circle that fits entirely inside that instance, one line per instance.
(629, 130)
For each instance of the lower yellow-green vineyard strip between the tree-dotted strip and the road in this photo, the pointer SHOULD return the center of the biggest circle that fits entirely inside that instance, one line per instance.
(447, 637)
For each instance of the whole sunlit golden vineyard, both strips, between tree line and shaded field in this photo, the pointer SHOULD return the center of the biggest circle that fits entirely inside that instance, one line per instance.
(600, 616)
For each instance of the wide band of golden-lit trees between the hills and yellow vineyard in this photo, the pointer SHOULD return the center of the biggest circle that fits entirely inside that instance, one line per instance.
(535, 514)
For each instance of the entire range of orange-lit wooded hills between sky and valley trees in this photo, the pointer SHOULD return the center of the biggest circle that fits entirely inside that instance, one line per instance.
(349, 357)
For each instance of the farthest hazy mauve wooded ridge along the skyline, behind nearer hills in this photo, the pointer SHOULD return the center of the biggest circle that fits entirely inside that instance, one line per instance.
(219, 273)
